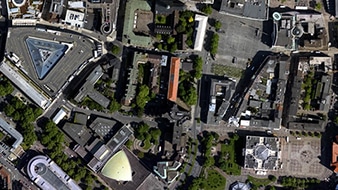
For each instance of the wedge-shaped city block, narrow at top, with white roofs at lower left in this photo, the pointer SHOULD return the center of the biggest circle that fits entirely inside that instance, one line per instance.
(266, 95)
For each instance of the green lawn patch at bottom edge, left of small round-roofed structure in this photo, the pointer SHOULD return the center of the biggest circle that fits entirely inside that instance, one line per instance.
(215, 181)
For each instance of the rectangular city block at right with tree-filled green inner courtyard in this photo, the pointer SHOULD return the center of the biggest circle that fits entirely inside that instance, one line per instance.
(306, 109)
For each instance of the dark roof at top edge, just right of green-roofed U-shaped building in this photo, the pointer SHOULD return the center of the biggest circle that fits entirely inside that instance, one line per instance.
(168, 6)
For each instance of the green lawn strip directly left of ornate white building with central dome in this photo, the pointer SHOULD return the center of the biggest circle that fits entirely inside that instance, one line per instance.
(228, 152)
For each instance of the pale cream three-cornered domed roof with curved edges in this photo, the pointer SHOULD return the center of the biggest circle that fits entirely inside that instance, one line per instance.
(118, 167)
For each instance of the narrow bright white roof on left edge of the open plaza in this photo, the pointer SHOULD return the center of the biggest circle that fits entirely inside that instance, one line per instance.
(201, 27)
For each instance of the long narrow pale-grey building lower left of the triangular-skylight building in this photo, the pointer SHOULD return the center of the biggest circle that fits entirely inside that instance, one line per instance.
(32, 92)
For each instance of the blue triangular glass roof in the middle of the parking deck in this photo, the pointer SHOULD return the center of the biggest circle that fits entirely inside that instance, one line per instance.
(44, 54)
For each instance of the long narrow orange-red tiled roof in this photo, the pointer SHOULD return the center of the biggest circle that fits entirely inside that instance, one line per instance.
(173, 78)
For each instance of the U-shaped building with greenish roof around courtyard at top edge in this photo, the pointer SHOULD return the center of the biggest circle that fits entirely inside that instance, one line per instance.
(132, 22)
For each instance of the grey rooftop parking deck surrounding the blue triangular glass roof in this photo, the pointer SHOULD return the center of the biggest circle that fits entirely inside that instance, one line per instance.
(81, 50)
